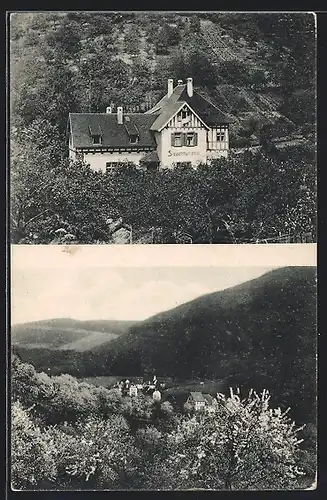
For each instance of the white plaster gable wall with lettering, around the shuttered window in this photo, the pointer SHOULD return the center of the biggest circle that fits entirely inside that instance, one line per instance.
(171, 155)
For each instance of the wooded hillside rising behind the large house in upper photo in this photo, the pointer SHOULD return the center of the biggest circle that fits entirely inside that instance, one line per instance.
(259, 68)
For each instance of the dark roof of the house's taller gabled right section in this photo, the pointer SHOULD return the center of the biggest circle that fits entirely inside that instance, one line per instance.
(206, 110)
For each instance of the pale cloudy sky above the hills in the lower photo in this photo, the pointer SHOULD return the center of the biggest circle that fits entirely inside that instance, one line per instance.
(104, 292)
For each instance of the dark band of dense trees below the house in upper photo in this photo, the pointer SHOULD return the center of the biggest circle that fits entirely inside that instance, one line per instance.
(251, 196)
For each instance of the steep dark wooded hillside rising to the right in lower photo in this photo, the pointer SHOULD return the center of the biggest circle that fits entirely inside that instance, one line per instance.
(201, 336)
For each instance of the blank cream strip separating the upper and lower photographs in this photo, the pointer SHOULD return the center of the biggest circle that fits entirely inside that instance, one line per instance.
(61, 256)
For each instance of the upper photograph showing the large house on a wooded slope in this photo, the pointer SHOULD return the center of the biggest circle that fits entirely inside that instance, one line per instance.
(162, 127)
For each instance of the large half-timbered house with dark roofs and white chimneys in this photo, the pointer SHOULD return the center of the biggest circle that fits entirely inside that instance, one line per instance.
(182, 127)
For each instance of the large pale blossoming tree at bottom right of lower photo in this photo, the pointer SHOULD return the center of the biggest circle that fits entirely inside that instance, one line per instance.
(244, 444)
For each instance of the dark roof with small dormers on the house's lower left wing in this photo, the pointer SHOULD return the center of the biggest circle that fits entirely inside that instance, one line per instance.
(113, 135)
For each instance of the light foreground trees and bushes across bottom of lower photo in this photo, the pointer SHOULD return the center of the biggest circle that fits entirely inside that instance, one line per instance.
(239, 444)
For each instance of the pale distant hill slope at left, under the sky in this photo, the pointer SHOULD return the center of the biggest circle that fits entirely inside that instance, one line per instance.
(66, 333)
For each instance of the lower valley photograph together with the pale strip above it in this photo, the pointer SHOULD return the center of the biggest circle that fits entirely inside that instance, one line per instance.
(163, 376)
